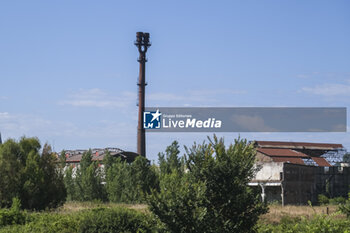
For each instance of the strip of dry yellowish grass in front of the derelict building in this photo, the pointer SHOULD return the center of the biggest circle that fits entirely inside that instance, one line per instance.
(277, 212)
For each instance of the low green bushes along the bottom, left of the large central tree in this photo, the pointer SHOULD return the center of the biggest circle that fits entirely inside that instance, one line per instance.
(96, 220)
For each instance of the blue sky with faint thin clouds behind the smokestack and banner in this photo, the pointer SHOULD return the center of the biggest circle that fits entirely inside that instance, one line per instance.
(68, 69)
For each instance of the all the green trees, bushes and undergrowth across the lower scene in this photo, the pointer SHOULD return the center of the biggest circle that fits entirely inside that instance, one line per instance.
(204, 191)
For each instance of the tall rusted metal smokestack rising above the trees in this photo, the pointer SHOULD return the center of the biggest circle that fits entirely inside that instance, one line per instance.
(142, 43)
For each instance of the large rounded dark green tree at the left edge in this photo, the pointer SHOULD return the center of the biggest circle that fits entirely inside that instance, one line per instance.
(29, 175)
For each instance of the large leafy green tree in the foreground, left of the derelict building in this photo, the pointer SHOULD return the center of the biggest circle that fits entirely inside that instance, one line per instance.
(213, 195)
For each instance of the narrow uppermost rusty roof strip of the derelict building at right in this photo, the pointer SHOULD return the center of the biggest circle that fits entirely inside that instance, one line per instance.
(299, 145)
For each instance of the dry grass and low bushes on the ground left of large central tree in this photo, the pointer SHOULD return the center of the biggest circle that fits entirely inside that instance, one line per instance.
(81, 217)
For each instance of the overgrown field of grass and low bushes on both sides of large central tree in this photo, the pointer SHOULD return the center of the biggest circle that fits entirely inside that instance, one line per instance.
(111, 217)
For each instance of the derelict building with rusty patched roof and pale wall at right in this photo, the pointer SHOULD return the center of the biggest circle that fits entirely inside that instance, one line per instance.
(297, 172)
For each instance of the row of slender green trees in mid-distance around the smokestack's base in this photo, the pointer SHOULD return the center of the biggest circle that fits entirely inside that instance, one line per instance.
(118, 181)
